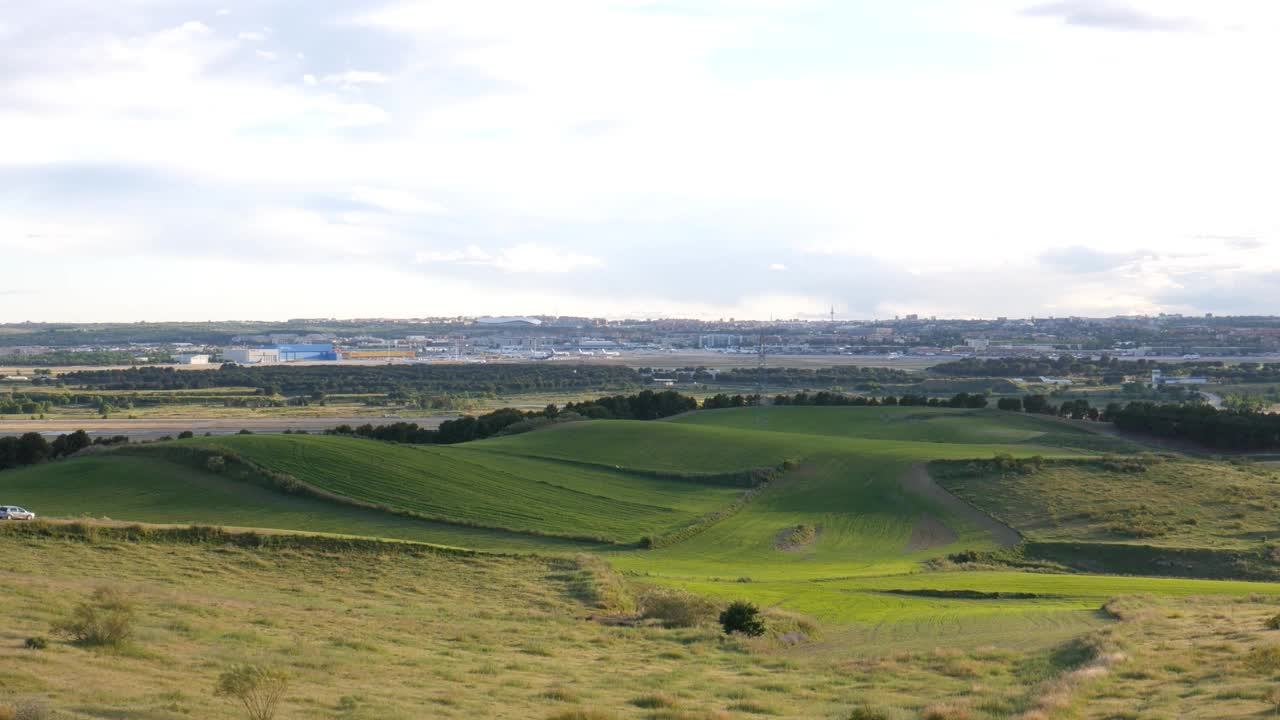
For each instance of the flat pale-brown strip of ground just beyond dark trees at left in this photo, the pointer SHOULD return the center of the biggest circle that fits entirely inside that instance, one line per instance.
(156, 429)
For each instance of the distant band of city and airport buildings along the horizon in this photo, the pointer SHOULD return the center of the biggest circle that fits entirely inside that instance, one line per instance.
(560, 339)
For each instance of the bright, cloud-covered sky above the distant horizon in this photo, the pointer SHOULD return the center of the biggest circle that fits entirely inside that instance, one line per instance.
(271, 160)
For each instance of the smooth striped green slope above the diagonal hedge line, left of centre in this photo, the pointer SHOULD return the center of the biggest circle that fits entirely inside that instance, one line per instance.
(464, 486)
